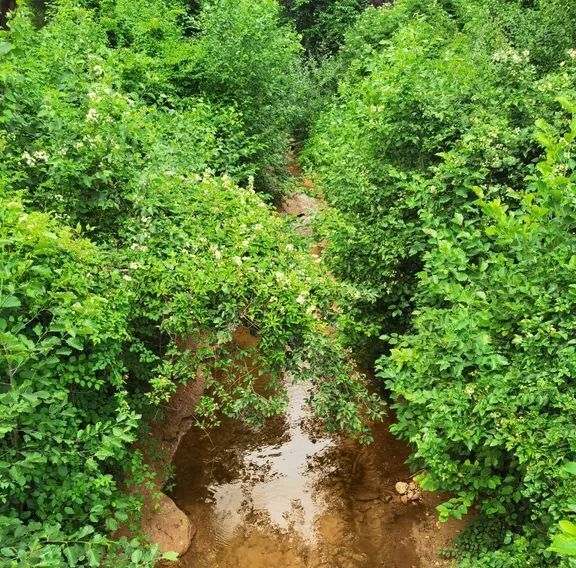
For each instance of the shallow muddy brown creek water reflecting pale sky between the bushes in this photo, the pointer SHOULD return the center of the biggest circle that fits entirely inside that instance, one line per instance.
(290, 495)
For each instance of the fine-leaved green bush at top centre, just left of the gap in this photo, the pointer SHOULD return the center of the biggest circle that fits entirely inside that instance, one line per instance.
(244, 55)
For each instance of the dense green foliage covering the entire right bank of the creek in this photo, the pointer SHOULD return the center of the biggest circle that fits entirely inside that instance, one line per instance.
(461, 250)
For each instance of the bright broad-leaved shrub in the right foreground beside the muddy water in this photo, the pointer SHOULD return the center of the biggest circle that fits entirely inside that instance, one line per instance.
(483, 384)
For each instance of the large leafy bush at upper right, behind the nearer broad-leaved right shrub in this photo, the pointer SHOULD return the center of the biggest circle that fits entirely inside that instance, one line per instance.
(417, 112)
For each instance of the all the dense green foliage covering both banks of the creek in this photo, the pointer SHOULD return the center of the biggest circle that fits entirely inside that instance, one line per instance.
(140, 142)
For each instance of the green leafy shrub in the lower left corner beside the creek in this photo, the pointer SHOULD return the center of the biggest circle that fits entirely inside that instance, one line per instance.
(65, 420)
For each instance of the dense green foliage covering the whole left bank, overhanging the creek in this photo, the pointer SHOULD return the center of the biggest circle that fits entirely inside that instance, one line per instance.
(132, 245)
